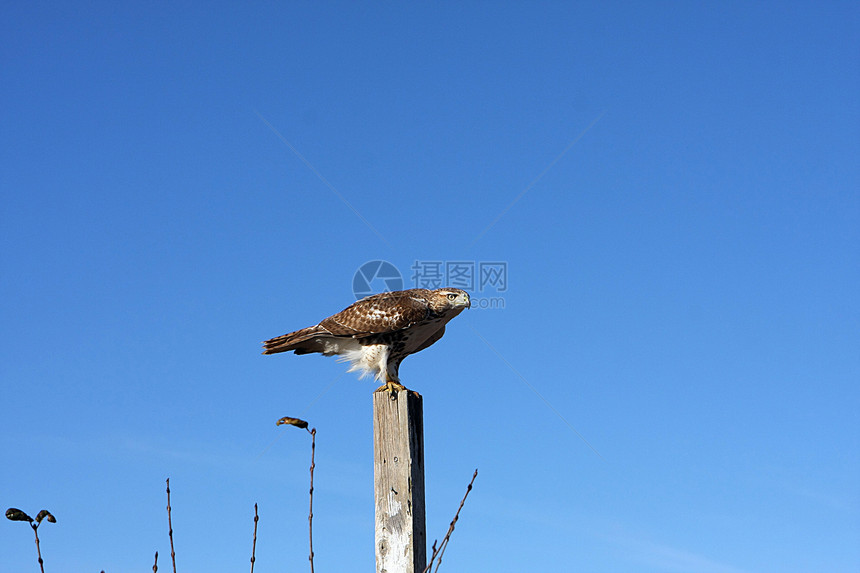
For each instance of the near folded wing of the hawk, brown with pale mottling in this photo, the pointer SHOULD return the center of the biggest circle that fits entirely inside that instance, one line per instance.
(379, 314)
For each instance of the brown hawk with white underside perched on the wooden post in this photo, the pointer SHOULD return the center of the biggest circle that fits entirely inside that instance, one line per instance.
(376, 333)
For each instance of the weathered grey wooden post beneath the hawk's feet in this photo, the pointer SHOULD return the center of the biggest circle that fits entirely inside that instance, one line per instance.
(398, 475)
